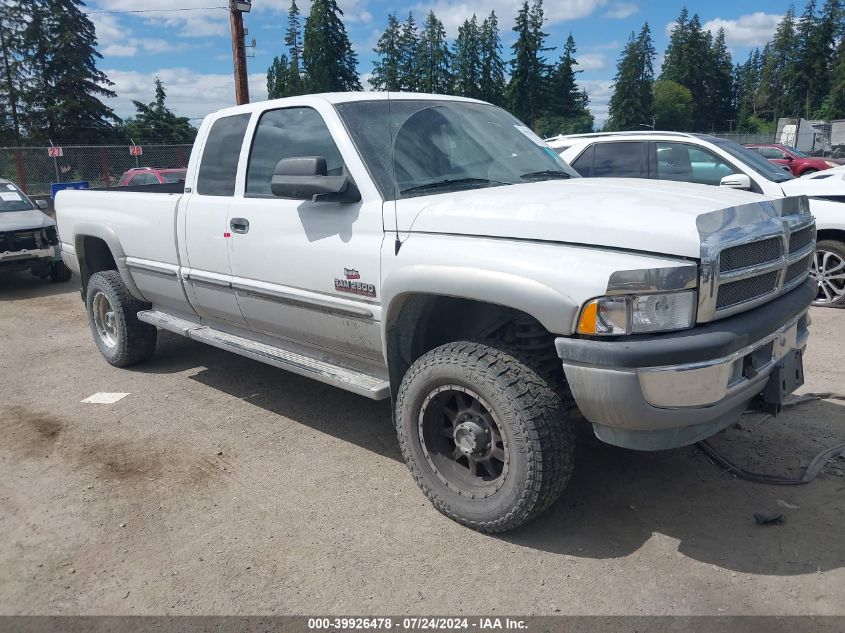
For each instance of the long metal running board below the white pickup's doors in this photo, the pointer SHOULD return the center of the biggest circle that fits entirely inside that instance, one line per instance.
(364, 384)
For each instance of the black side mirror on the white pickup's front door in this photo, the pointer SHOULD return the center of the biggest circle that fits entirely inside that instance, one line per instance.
(305, 178)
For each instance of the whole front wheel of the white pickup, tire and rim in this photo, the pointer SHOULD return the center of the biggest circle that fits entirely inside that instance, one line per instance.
(484, 435)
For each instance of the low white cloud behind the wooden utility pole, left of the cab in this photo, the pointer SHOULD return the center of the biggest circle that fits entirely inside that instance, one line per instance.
(189, 93)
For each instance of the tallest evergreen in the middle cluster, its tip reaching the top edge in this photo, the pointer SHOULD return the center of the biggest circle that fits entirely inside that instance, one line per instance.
(527, 93)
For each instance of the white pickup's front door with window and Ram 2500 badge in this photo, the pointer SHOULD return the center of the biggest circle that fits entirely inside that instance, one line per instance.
(304, 271)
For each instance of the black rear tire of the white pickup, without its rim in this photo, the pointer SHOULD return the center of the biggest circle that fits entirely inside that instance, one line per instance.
(135, 340)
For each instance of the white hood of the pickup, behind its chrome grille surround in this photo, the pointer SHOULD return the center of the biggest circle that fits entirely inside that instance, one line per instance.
(631, 214)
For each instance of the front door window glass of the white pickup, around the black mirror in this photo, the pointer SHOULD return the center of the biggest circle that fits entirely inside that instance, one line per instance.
(288, 133)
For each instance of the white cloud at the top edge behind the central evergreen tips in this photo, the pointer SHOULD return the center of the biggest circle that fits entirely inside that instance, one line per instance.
(453, 14)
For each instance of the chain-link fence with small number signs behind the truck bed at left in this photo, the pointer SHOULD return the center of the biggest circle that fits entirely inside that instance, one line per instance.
(34, 169)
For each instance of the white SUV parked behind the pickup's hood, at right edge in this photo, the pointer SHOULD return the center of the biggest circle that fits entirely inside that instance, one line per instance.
(704, 159)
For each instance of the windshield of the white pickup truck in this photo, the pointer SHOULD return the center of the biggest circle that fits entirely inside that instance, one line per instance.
(420, 147)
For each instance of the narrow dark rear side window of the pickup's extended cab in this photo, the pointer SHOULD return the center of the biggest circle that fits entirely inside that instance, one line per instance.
(219, 163)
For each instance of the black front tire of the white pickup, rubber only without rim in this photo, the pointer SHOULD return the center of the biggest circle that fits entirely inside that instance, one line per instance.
(541, 438)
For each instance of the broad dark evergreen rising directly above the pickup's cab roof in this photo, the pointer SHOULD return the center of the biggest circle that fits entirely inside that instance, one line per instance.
(329, 62)
